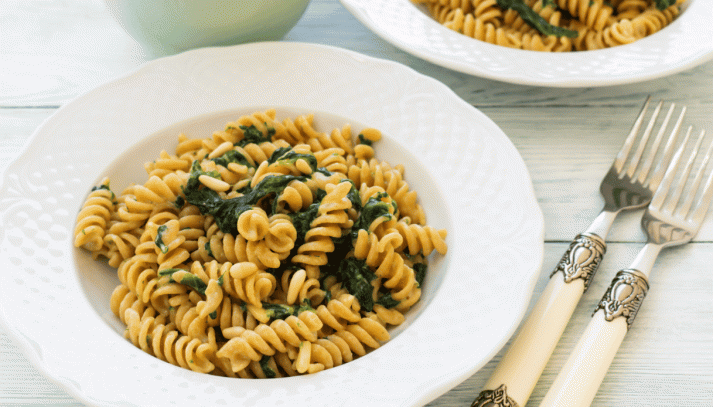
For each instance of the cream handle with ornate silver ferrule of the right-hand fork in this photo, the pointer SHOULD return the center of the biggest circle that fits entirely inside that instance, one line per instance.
(578, 381)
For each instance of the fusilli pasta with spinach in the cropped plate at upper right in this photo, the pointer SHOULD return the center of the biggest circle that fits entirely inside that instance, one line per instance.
(570, 25)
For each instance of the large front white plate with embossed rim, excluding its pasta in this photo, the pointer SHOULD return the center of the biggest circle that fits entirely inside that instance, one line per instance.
(475, 297)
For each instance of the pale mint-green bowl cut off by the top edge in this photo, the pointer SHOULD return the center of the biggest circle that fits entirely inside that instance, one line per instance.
(171, 26)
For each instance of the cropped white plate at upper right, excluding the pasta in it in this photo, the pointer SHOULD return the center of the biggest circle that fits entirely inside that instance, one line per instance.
(687, 42)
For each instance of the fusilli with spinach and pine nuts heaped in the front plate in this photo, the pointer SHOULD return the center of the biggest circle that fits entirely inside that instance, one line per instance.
(268, 249)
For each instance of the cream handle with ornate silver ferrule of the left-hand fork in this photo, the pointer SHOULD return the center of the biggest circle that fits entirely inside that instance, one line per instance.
(517, 373)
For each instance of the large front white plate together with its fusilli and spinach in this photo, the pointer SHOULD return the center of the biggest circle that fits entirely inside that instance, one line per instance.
(285, 246)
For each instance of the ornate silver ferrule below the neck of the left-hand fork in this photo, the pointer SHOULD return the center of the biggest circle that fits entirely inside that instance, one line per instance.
(582, 258)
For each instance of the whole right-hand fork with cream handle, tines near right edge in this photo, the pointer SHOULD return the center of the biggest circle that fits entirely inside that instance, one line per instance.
(668, 221)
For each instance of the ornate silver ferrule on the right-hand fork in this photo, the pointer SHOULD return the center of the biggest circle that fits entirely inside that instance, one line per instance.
(624, 296)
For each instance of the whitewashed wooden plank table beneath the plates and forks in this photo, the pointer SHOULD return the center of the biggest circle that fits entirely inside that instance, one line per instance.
(52, 51)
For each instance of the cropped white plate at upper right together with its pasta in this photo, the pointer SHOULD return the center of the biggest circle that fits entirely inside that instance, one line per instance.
(556, 43)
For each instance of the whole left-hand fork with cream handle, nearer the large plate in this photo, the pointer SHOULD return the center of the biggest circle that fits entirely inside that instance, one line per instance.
(629, 184)
